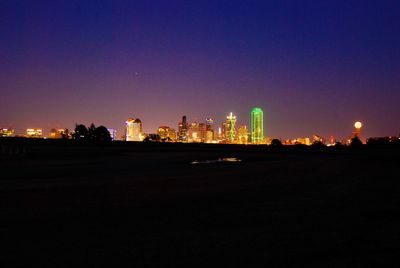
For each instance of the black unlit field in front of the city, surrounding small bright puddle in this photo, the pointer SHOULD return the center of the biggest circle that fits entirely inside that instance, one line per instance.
(69, 205)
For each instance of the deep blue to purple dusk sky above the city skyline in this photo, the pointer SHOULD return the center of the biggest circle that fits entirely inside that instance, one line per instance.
(312, 66)
